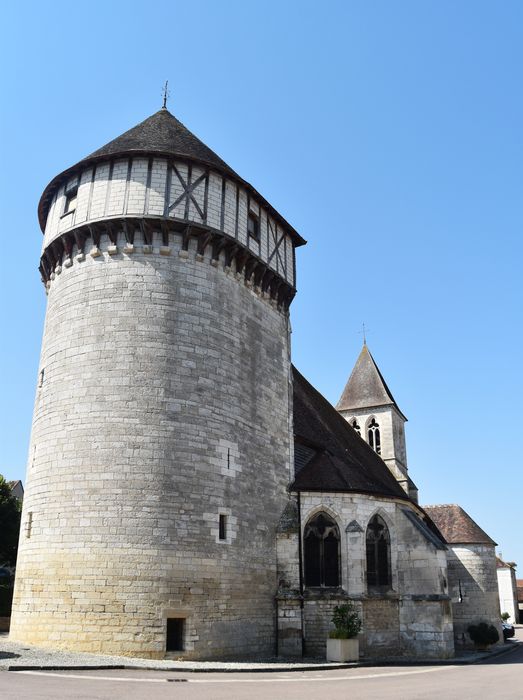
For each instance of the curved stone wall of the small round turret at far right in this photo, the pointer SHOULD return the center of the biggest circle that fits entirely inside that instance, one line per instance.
(473, 588)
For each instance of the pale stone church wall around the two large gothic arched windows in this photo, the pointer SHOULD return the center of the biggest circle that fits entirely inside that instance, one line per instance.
(414, 617)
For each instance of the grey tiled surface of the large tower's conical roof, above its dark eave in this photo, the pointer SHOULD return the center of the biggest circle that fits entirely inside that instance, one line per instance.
(162, 133)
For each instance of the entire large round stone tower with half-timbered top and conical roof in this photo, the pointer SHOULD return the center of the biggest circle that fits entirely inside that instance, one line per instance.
(160, 451)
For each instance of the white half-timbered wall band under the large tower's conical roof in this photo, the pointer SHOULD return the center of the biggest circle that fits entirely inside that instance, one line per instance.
(148, 187)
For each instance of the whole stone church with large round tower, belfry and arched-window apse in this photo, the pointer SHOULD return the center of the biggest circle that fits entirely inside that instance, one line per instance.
(189, 494)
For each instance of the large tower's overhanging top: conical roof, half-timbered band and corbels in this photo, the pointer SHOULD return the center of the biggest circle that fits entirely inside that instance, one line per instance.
(159, 180)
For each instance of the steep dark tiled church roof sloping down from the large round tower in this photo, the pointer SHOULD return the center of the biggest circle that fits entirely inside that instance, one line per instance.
(330, 455)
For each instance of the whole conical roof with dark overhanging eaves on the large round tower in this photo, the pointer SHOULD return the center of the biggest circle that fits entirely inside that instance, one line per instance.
(161, 134)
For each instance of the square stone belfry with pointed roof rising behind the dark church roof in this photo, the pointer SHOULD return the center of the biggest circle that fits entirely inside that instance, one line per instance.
(368, 405)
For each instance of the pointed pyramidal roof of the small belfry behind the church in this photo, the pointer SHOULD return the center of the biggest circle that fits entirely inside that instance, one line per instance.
(366, 387)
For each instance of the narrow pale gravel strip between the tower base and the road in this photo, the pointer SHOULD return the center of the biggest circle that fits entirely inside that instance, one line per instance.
(15, 655)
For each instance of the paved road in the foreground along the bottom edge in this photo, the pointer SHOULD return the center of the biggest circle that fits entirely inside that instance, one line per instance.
(500, 679)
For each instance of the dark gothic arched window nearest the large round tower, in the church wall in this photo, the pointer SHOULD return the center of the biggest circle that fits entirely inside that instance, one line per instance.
(321, 543)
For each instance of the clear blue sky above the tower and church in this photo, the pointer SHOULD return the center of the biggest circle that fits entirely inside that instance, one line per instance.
(388, 133)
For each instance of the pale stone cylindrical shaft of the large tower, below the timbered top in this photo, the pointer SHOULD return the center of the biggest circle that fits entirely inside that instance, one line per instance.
(164, 402)
